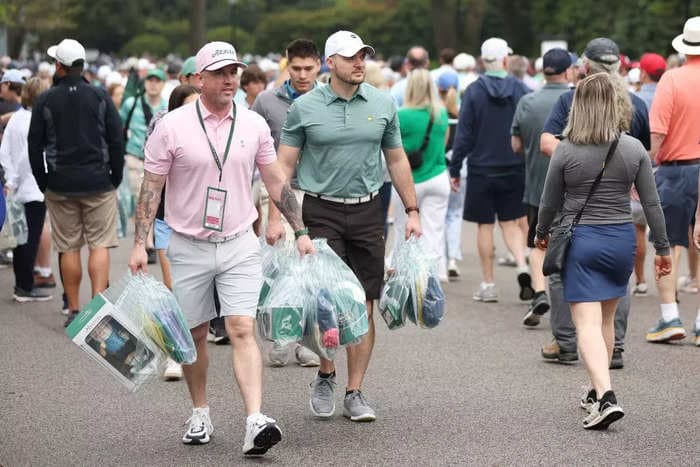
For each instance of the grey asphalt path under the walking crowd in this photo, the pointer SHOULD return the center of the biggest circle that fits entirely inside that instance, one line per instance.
(472, 391)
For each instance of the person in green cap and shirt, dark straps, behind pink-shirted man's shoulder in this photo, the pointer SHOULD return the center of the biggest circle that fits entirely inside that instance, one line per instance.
(136, 113)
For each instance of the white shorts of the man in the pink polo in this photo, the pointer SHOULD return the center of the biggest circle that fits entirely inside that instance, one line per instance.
(234, 266)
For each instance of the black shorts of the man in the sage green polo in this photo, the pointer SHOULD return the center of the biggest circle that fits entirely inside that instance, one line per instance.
(355, 232)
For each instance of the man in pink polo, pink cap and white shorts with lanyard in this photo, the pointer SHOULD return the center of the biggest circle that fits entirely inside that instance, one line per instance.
(207, 151)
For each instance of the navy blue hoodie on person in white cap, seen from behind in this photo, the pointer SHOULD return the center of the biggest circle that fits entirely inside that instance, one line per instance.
(483, 130)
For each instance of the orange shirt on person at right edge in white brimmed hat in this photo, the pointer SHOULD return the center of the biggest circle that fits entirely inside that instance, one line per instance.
(675, 112)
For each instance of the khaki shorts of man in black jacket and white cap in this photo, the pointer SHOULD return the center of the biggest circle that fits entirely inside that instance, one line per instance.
(76, 220)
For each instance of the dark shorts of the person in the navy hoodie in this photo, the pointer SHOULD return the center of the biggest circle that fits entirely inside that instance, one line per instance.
(494, 195)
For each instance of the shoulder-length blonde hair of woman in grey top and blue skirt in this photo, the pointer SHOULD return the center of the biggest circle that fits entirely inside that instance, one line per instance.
(596, 112)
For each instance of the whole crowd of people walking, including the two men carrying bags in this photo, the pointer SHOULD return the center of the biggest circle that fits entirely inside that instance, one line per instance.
(578, 155)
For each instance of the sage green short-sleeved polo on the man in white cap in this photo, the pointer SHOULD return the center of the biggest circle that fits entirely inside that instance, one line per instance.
(341, 141)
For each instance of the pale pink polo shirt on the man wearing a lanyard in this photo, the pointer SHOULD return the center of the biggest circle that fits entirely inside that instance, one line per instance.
(179, 149)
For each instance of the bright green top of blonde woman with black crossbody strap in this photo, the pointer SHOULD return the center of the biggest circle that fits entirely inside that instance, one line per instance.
(414, 123)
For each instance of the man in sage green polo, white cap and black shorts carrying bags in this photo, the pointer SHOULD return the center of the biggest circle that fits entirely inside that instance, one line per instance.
(340, 131)
